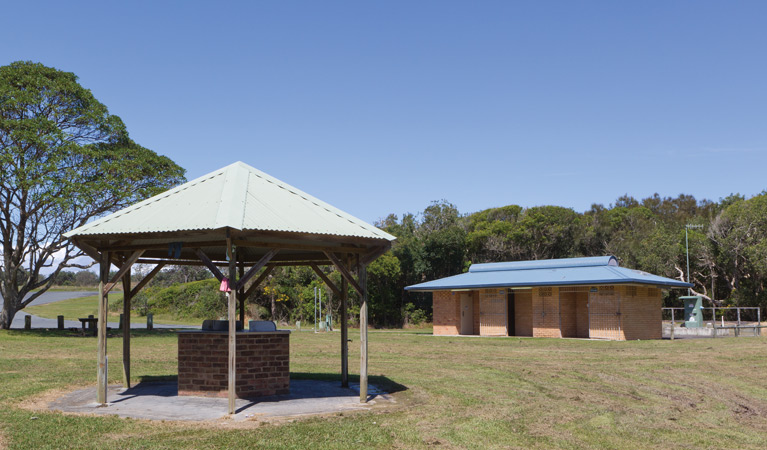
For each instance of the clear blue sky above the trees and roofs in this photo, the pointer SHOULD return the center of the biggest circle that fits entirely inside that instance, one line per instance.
(383, 107)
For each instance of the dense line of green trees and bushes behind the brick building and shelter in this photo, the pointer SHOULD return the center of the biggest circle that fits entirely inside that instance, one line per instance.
(727, 249)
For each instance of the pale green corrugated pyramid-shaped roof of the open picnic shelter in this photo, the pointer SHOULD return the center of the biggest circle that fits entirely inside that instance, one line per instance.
(237, 196)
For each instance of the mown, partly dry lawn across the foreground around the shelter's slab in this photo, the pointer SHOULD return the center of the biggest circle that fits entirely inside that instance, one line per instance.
(455, 393)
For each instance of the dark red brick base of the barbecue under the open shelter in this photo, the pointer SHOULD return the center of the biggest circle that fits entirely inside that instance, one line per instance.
(262, 368)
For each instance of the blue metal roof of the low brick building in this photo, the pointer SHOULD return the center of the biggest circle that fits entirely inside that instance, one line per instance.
(551, 272)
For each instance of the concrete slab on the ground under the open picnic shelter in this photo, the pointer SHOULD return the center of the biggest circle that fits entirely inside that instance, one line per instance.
(160, 401)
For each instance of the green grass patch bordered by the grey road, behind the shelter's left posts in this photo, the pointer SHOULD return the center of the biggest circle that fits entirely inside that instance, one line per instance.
(75, 308)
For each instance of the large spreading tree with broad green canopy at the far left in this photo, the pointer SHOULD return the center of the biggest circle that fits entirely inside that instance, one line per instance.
(65, 160)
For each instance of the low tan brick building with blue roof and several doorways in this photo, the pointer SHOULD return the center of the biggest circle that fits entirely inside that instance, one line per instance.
(575, 297)
